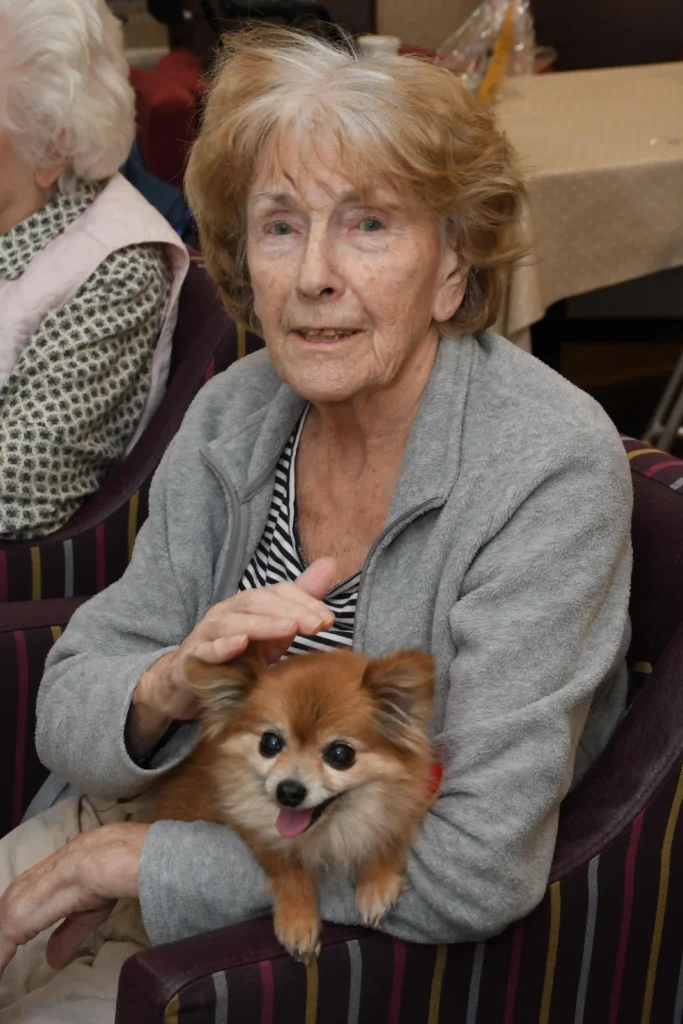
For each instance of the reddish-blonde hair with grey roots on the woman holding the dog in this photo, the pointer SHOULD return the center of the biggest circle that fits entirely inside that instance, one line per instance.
(395, 121)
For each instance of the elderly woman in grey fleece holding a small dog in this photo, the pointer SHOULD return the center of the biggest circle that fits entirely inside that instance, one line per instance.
(387, 474)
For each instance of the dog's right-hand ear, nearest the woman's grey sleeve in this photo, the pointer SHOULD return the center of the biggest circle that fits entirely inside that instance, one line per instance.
(402, 687)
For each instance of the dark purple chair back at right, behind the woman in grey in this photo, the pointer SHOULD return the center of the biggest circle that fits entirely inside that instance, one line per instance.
(649, 743)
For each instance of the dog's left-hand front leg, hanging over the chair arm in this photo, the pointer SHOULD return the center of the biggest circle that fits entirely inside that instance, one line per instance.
(295, 916)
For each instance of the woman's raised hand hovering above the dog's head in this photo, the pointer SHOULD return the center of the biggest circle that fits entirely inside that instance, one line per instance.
(267, 618)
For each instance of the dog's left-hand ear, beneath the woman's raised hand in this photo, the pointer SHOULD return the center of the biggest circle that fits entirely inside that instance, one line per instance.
(223, 690)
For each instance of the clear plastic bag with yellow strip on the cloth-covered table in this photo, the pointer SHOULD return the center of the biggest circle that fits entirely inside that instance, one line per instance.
(497, 39)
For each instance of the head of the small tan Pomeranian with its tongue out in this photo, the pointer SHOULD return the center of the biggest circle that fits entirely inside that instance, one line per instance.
(302, 743)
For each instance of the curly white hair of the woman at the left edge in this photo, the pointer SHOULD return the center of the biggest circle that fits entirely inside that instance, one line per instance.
(65, 90)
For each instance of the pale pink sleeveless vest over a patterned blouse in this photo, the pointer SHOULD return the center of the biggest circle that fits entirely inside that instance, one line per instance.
(120, 217)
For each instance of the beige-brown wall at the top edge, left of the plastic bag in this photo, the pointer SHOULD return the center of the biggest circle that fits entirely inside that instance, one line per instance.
(422, 23)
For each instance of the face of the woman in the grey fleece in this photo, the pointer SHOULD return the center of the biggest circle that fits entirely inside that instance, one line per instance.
(348, 294)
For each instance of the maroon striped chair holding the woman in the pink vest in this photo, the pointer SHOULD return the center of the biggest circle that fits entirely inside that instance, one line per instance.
(93, 550)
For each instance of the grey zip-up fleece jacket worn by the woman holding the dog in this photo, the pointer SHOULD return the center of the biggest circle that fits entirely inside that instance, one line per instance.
(506, 554)
